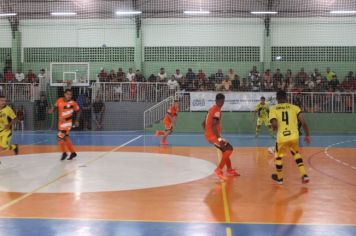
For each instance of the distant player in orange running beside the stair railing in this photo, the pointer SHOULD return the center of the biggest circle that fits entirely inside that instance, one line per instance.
(168, 121)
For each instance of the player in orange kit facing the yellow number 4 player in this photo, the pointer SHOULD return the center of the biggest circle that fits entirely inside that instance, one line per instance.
(212, 127)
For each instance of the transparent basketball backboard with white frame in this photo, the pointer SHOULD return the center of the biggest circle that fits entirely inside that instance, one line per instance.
(78, 73)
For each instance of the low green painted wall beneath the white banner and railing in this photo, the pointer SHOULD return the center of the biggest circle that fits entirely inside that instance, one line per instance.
(242, 122)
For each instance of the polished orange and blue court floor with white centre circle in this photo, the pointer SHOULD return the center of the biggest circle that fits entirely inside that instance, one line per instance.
(124, 183)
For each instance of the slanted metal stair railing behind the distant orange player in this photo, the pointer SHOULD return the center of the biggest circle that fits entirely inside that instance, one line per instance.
(156, 112)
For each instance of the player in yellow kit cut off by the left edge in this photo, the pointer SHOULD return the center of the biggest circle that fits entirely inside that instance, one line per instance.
(7, 120)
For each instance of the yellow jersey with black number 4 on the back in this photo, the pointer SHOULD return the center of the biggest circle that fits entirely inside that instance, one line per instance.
(286, 115)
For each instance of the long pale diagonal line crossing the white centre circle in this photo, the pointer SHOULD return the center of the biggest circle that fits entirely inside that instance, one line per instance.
(65, 174)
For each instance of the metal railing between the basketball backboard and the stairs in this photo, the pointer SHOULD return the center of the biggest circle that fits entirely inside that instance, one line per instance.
(132, 91)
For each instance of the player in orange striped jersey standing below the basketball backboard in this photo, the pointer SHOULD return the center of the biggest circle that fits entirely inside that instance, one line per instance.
(66, 108)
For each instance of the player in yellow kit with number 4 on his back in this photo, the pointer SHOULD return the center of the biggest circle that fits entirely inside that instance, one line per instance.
(284, 119)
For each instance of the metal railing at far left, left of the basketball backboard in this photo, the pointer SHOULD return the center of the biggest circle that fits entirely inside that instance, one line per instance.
(17, 92)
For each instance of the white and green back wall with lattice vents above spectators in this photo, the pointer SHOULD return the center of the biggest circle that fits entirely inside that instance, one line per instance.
(221, 43)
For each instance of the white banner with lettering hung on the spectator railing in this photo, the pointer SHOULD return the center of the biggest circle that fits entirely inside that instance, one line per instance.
(234, 101)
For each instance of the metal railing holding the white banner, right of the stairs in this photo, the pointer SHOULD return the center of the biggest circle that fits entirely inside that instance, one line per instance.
(322, 102)
